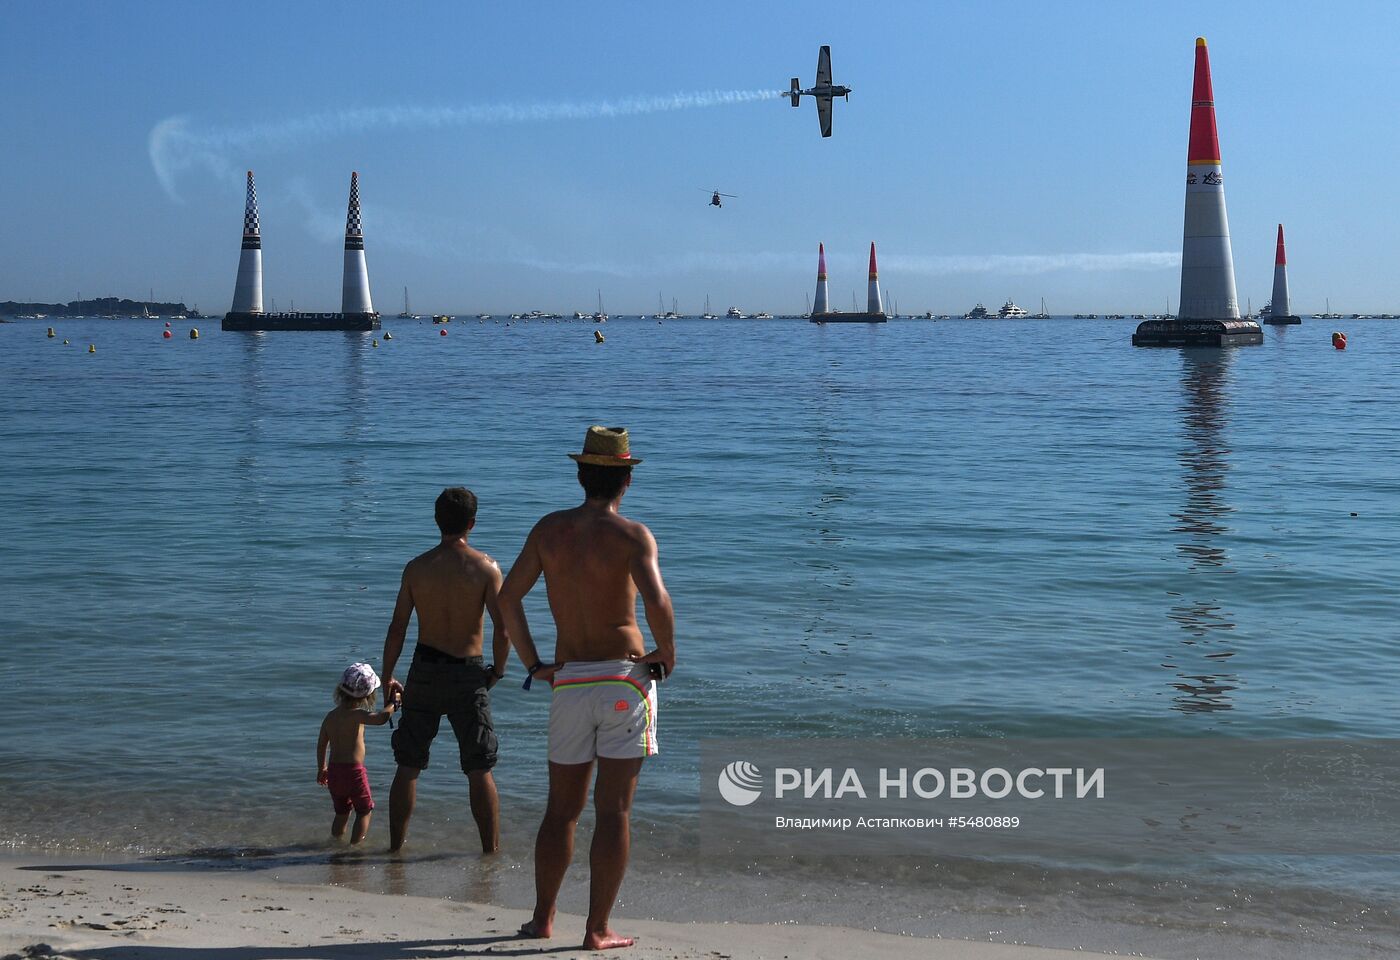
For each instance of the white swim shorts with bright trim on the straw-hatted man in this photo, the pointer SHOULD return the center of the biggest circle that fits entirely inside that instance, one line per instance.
(603, 709)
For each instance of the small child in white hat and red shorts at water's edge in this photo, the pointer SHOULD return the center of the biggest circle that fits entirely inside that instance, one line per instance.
(342, 731)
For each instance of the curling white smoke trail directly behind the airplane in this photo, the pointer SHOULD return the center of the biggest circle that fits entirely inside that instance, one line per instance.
(177, 145)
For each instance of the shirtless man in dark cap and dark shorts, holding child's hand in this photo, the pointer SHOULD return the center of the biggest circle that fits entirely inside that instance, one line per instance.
(450, 587)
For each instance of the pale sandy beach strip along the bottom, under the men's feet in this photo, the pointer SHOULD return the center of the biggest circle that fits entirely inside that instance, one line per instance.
(113, 913)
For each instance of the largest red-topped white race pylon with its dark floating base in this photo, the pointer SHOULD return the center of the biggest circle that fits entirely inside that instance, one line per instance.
(1209, 309)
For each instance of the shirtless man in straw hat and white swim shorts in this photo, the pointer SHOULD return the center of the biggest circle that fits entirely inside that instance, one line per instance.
(596, 563)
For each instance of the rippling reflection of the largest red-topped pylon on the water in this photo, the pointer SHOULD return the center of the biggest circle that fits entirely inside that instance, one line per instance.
(1202, 685)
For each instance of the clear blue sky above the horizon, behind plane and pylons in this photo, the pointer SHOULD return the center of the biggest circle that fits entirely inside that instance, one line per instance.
(992, 150)
